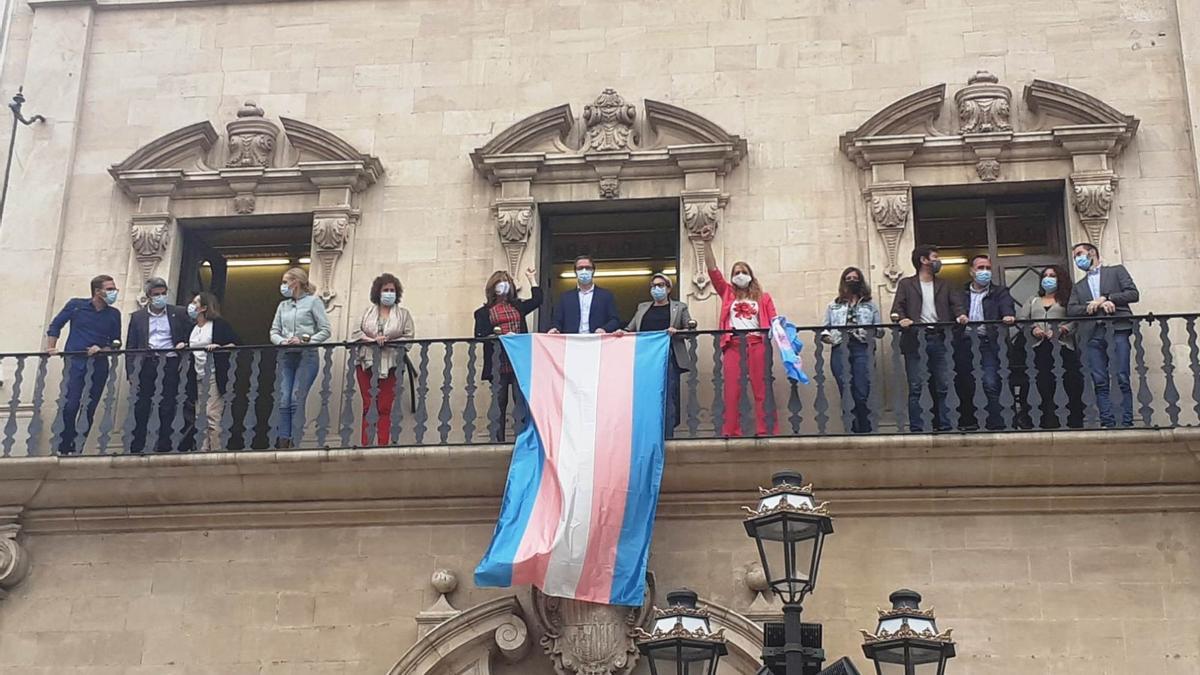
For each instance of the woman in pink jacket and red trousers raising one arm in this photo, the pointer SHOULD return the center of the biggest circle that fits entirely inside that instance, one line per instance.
(745, 307)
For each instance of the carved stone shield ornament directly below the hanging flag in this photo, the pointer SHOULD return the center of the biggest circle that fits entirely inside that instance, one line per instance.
(590, 640)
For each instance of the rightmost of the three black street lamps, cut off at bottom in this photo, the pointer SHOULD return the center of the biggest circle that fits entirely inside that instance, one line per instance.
(907, 641)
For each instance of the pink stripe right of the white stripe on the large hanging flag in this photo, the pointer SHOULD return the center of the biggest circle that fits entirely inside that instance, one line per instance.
(610, 480)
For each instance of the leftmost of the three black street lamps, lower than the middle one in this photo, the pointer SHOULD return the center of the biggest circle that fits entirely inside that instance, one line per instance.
(683, 642)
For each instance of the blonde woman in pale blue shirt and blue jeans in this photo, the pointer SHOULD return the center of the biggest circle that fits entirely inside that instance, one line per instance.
(299, 320)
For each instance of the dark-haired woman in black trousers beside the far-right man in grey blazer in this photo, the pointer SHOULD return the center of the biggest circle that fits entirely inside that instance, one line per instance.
(1048, 308)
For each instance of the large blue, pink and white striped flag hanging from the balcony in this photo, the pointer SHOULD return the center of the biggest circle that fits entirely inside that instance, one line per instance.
(584, 485)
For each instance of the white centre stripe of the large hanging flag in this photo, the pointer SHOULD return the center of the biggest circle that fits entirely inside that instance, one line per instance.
(577, 459)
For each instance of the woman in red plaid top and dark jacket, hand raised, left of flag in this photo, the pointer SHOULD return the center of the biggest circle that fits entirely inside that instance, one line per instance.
(505, 313)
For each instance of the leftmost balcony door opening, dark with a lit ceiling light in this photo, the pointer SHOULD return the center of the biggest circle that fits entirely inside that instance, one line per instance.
(241, 261)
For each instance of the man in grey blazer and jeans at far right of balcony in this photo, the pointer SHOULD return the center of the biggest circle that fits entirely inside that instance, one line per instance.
(1106, 291)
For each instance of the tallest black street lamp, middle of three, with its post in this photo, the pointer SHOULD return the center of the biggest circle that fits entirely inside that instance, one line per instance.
(790, 528)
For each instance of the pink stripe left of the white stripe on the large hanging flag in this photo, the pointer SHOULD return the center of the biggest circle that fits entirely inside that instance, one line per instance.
(545, 407)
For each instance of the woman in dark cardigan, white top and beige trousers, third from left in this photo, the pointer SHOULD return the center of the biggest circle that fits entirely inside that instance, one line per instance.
(213, 375)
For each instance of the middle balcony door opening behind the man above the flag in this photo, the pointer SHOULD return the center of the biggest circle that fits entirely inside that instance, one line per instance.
(629, 241)
